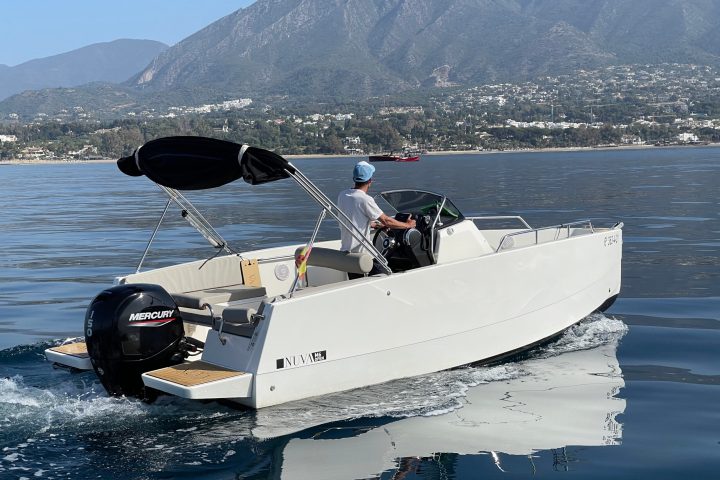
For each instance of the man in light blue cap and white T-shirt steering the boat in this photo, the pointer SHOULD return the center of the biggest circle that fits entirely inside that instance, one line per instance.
(363, 211)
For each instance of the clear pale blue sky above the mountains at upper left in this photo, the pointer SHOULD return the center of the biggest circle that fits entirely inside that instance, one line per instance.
(31, 29)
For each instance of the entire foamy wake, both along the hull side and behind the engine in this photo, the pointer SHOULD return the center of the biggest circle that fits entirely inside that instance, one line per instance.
(43, 410)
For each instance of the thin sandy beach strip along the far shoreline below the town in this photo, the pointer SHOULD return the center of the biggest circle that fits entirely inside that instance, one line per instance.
(429, 154)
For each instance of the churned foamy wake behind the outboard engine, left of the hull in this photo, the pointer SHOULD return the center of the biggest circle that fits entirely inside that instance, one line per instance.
(58, 423)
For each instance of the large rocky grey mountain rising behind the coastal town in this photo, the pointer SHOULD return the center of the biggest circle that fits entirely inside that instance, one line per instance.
(314, 50)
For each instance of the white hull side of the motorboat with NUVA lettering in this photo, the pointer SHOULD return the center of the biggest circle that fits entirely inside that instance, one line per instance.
(372, 330)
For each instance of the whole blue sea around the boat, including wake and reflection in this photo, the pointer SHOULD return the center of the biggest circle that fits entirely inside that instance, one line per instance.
(632, 394)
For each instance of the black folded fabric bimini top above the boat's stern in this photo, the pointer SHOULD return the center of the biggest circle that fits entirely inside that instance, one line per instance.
(197, 163)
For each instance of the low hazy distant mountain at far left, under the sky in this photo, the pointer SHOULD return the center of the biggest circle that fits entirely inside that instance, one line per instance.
(110, 61)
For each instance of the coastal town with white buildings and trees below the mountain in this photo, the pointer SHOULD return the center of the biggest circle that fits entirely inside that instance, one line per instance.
(631, 105)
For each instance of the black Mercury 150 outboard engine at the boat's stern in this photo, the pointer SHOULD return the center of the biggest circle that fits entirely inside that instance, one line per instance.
(131, 329)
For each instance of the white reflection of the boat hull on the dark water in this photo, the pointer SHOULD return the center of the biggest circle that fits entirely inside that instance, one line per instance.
(563, 400)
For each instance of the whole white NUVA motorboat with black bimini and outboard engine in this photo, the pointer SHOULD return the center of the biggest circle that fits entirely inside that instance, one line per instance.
(275, 325)
